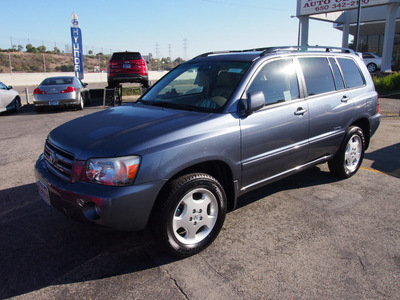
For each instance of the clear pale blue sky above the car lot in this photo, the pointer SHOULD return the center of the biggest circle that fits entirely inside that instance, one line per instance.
(182, 28)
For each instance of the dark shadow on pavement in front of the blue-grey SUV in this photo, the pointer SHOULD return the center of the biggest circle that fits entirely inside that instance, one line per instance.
(41, 247)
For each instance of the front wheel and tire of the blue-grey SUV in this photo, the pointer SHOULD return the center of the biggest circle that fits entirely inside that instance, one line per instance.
(189, 214)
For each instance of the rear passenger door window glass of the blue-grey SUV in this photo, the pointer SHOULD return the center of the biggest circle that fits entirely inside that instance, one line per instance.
(317, 74)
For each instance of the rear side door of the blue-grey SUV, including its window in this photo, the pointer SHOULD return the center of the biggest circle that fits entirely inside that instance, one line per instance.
(330, 104)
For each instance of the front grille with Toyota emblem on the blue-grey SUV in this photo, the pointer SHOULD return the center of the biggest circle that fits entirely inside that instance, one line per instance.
(58, 161)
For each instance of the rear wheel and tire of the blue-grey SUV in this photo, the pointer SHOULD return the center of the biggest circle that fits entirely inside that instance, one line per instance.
(350, 155)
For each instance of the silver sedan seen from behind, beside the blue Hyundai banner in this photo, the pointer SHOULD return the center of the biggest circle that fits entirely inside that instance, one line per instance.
(68, 91)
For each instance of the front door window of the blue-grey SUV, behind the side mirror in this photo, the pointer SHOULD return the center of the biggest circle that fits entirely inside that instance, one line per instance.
(278, 81)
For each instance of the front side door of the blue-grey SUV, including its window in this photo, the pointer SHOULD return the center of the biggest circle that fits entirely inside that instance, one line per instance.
(275, 138)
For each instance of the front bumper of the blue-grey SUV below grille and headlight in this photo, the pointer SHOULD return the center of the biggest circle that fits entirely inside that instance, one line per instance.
(121, 208)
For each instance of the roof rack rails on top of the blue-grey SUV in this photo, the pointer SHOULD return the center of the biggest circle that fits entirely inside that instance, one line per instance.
(268, 50)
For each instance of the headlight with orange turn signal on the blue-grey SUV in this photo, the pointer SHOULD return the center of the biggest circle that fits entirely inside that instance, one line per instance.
(117, 171)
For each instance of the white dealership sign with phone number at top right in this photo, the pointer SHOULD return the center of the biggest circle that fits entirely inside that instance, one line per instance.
(312, 7)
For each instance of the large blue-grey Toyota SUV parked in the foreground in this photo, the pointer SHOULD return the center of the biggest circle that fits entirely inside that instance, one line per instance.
(212, 129)
